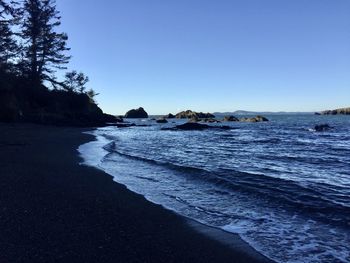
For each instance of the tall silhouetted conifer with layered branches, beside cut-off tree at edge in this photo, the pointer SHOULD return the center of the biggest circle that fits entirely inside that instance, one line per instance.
(44, 48)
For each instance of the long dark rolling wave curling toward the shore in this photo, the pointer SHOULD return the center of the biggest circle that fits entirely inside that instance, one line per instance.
(320, 201)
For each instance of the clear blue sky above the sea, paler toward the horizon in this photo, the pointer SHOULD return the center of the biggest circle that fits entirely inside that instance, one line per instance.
(212, 55)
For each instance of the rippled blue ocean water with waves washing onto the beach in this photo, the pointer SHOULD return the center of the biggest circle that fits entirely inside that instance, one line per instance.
(284, 188)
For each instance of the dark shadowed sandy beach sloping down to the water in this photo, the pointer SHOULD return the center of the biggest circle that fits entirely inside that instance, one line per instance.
(54, 210)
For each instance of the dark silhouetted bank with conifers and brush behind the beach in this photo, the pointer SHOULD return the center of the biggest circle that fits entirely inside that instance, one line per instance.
(31, 52)
